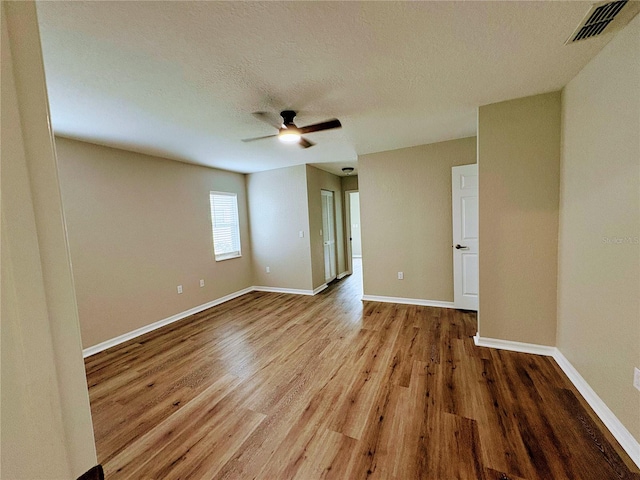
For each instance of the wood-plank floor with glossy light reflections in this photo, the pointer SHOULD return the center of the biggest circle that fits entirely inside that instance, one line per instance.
(276, 386)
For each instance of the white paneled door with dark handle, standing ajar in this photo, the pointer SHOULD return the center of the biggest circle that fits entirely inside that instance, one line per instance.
(465, 236)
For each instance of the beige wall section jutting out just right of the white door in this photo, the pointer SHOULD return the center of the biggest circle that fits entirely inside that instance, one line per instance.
(518, 167)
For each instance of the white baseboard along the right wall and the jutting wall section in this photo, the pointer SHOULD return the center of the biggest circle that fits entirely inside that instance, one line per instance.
(615, 426)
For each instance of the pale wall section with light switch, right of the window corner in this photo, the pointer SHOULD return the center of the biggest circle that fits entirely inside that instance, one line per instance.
(278, 205)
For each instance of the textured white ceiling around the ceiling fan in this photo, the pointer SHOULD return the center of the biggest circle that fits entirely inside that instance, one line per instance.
(181, 79)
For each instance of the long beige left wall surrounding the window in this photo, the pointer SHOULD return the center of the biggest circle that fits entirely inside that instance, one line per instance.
(139, 226)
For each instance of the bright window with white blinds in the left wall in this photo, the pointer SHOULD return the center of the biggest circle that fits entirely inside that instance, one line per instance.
(224, 221)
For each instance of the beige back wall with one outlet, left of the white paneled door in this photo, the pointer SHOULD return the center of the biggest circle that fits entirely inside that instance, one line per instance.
(405, 201)
